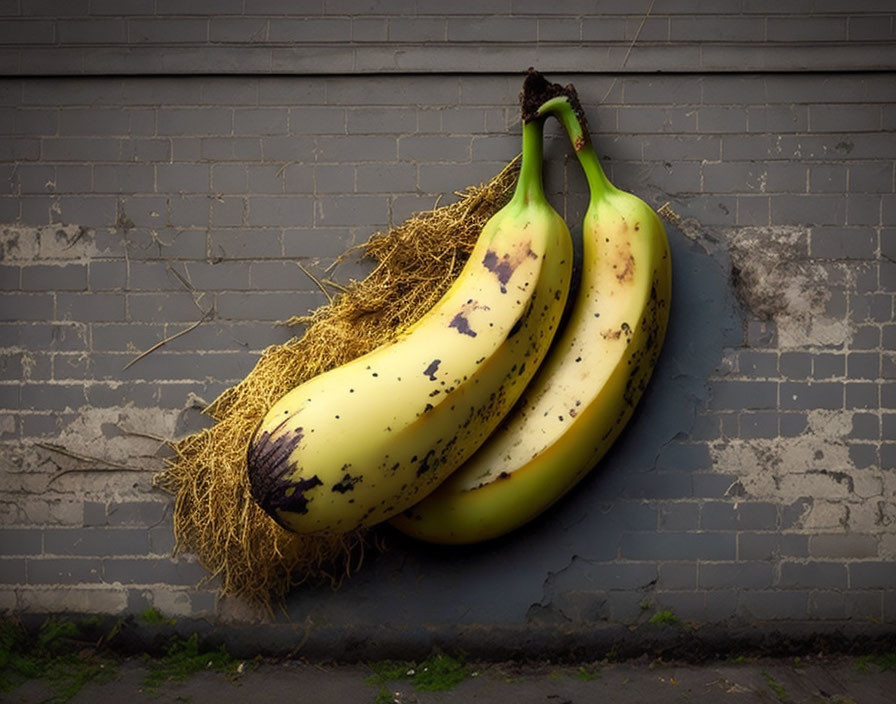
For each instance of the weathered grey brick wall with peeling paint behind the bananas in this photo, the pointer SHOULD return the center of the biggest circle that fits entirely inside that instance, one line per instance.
(756, 483)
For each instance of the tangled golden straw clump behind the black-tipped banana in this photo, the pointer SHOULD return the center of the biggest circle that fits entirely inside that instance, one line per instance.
(215, 517)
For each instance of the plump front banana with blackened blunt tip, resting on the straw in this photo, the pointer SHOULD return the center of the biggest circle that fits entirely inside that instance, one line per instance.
(366, 440)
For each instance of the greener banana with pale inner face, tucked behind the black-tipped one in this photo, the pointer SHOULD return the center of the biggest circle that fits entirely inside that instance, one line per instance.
(588, 386)
